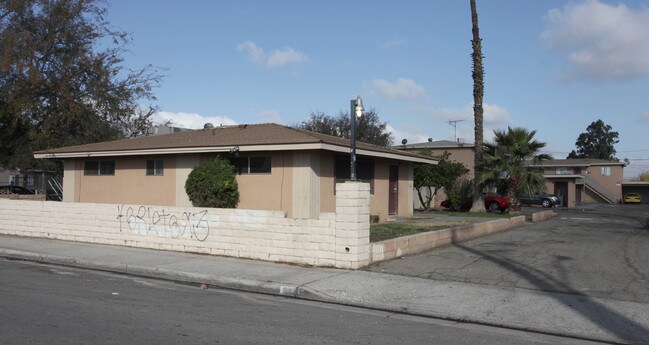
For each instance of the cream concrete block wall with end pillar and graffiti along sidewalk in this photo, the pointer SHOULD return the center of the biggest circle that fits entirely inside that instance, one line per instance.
(335, 240)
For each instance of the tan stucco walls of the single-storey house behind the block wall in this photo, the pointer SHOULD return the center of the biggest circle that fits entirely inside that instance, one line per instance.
(301, 184)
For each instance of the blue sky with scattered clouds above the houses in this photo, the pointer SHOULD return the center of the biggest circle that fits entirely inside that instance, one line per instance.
(552, 66)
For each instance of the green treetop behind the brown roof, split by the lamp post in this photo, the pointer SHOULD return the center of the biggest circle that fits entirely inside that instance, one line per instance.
(369, 128)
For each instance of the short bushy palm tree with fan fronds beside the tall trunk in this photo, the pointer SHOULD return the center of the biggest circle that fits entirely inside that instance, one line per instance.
(510, 158)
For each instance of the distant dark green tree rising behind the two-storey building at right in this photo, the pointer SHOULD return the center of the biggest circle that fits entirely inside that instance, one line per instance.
(596, 143)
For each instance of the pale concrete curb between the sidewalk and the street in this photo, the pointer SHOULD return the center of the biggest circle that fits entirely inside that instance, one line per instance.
(265, 287)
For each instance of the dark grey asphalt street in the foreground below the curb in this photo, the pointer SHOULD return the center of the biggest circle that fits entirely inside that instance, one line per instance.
(44, 304)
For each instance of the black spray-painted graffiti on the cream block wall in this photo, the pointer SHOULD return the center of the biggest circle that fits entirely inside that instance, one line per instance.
(145, 221)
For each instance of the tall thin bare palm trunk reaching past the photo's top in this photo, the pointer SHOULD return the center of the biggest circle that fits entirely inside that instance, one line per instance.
(478, 94)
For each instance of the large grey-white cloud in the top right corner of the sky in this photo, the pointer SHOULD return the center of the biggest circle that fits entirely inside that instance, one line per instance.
(599, 41)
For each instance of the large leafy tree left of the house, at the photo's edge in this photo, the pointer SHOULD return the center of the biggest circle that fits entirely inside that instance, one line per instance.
(62, 81)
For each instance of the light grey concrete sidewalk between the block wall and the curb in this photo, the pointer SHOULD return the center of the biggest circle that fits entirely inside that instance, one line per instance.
(560, 314)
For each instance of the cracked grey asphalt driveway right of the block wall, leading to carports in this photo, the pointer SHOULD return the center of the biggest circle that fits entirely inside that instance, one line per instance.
(594, 250)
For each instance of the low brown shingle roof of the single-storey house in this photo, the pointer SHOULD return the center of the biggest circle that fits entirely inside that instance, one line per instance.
(225, 136)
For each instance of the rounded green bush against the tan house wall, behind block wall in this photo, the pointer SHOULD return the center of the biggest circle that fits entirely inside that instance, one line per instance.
(213, 184)
